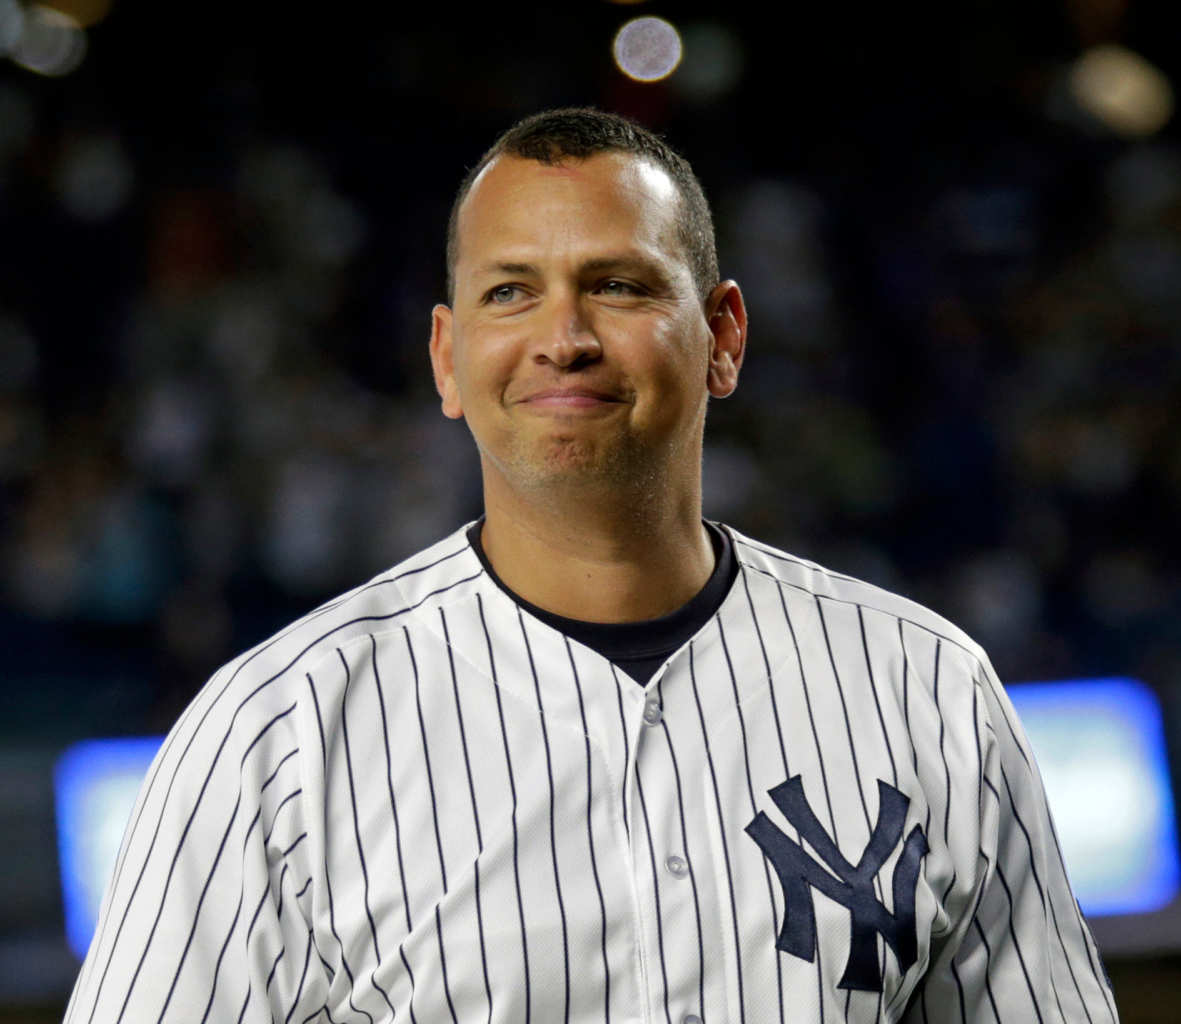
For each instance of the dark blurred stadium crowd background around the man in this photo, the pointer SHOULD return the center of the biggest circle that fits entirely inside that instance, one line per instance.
(223, 230)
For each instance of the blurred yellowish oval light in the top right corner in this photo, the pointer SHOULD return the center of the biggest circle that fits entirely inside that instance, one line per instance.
(1123, 90)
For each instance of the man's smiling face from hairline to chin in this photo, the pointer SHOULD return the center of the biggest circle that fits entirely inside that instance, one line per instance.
(578, 349)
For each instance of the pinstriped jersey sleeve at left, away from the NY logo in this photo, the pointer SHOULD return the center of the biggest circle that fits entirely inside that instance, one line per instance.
(208, 914)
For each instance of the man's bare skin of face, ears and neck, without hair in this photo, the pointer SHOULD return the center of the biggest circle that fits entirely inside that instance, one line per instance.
(583, 349)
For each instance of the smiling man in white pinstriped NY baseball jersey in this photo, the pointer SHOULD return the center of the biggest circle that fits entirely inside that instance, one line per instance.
(592, 759)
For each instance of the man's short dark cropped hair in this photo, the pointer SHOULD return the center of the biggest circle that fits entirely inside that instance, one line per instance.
(579, 133)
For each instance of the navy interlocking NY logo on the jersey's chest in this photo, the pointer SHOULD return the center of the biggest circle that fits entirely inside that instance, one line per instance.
(853, 886)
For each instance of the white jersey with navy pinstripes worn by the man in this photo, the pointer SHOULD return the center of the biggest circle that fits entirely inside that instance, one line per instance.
(420, 803)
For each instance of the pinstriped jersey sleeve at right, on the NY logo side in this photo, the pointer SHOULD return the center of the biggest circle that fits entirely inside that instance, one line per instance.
(1023, 953)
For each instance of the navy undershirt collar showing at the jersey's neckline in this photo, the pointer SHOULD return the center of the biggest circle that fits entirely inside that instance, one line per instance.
(638, 649)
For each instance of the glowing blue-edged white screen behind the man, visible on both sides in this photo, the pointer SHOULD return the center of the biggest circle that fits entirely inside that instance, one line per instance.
(1100, 746)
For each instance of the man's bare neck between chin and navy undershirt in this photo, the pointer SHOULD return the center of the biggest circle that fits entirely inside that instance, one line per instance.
(601, 559)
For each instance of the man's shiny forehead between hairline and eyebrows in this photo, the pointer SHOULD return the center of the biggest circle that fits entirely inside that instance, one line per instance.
(523, 203)
